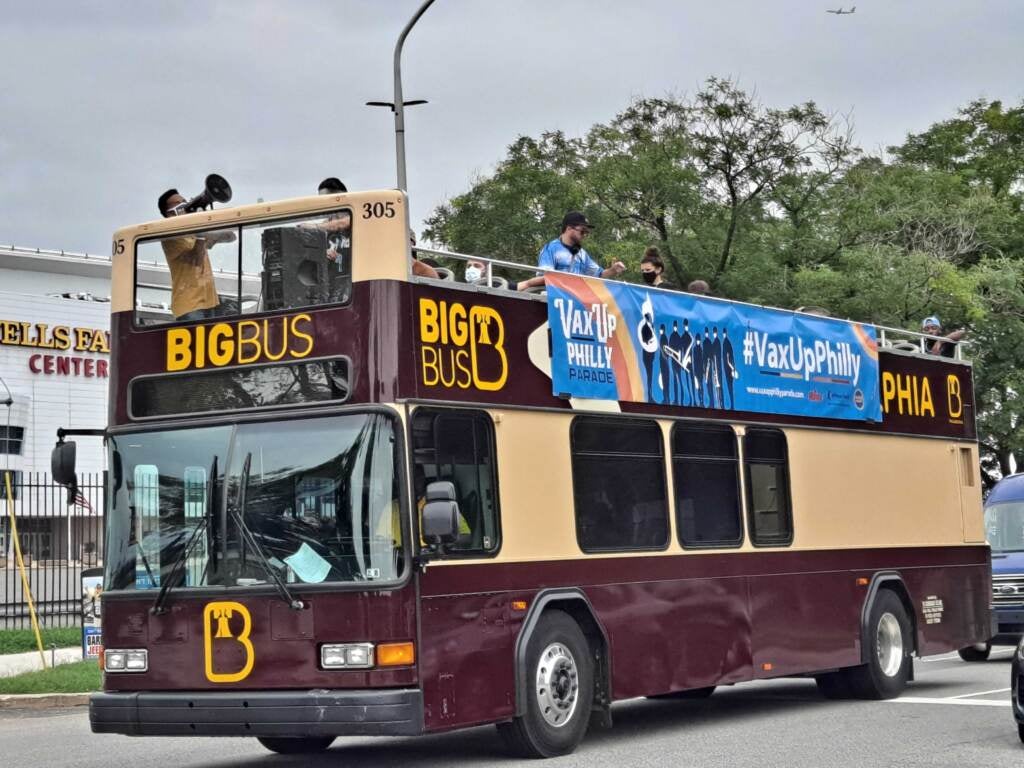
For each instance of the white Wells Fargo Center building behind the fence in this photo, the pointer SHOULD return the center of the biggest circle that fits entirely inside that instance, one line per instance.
(55, 360)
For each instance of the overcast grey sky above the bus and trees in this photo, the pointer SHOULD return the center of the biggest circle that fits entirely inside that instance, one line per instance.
(105, 105)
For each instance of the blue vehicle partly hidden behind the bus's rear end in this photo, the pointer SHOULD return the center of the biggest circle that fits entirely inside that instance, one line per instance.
(1005, 531)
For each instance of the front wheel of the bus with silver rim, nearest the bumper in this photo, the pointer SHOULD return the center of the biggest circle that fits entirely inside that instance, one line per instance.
(560, 674)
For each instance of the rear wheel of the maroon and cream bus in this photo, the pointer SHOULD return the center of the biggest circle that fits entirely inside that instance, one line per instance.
(889, 649)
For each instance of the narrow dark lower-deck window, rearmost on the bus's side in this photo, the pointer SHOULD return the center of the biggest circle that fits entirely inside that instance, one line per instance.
(766, 465)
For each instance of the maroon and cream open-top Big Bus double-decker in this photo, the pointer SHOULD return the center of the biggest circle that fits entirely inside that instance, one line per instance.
(354, 501)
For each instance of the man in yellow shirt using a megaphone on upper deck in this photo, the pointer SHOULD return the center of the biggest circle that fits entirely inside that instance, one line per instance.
(194, 292)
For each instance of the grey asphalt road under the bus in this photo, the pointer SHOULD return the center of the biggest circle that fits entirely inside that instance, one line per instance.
(956, 714)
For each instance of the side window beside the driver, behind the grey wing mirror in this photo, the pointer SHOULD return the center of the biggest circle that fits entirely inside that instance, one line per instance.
(459, 447)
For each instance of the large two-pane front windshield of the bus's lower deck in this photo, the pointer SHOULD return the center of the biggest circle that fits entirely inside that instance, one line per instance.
(320, 498)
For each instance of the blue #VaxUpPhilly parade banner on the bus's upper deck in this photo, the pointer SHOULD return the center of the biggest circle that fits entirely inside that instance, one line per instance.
(631, 344)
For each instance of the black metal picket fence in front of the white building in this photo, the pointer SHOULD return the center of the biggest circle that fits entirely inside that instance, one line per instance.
(60, 537)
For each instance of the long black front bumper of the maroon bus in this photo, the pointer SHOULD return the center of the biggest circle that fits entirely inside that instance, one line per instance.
(310, 713)
